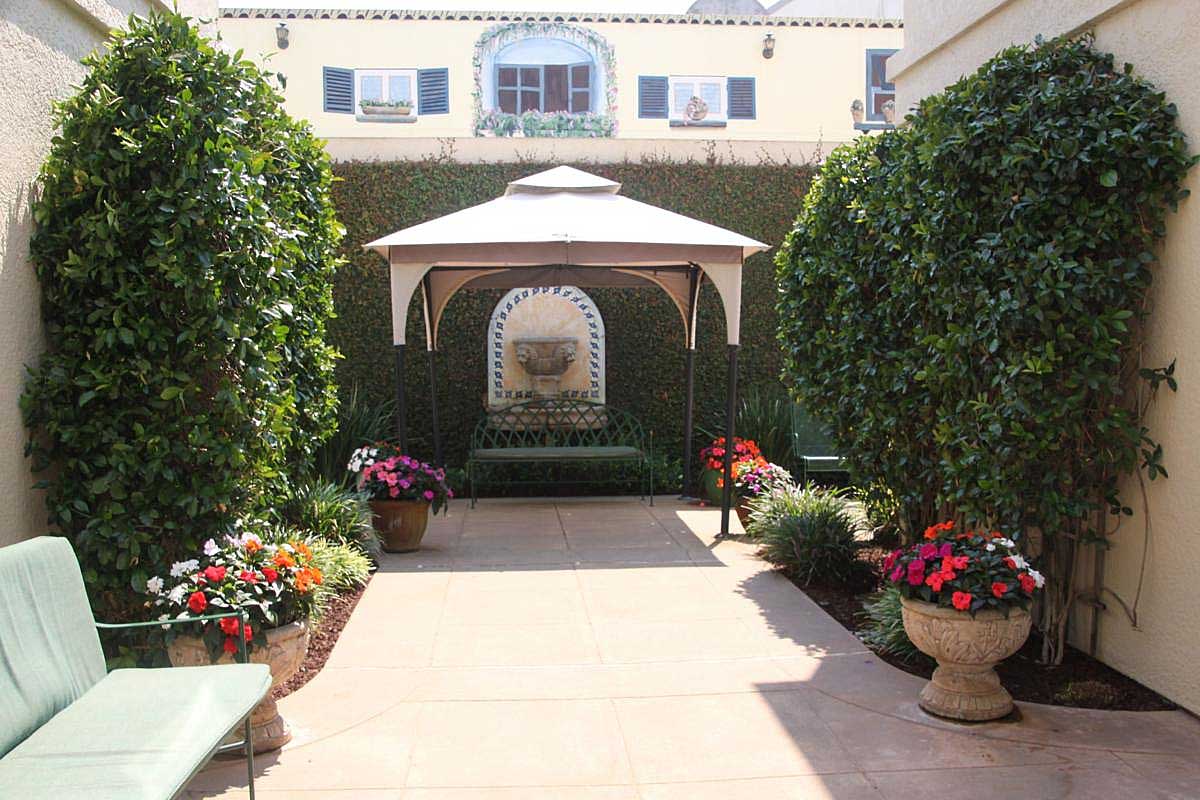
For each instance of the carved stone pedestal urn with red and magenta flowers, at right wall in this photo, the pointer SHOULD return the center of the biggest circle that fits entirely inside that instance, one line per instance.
(965, 603)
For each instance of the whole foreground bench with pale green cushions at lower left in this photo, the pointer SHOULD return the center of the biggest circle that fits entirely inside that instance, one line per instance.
(71, 732)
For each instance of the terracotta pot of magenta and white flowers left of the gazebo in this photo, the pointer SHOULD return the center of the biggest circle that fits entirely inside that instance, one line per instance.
(403, 492)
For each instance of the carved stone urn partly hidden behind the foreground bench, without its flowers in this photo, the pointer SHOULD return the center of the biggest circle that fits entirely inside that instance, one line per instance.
(285, 652)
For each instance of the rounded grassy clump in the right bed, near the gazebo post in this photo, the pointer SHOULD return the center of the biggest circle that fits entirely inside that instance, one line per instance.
(815, 542)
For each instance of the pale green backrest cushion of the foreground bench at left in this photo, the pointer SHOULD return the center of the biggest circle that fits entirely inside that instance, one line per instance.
(50, 652)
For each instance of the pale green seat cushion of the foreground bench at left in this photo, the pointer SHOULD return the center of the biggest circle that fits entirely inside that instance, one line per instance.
(139, 735)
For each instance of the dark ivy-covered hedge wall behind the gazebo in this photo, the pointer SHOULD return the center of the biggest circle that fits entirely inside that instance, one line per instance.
(645, 334)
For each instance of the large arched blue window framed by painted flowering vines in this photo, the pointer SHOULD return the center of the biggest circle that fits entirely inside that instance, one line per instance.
(544, 80)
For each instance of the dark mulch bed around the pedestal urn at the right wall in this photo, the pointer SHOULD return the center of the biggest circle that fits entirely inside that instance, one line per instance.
(1081, 682)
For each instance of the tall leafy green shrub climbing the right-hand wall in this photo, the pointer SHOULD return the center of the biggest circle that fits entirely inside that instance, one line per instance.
(962, 299)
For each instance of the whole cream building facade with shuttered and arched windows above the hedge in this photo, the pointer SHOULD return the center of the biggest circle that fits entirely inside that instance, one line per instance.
(392, 83)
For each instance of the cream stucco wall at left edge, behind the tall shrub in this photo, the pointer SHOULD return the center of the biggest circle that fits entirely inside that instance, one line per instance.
(41, 44)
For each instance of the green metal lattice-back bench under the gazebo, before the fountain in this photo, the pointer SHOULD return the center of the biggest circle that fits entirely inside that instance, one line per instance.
(560, 431)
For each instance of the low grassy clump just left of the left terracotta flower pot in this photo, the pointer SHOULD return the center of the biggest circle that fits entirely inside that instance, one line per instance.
(328, 512)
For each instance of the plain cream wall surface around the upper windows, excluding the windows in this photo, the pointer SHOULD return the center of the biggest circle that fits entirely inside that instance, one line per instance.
(803, 93)
